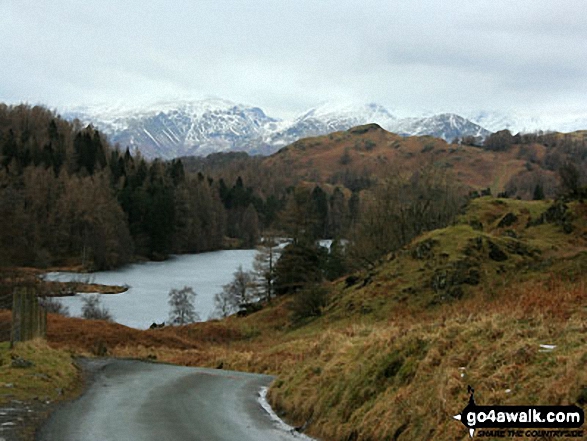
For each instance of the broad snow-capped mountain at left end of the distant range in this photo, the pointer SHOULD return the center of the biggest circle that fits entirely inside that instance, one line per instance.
(169, 130)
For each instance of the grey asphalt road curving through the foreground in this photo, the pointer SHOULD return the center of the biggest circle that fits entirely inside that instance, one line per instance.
(132, 400)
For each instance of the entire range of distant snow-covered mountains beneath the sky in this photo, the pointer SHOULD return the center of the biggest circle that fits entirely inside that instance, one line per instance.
(184, 128)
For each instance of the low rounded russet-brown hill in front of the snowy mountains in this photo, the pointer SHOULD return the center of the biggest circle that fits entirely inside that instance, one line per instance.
(369, 149)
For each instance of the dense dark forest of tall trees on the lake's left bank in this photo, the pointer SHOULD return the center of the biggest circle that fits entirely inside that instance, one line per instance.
(68, 197)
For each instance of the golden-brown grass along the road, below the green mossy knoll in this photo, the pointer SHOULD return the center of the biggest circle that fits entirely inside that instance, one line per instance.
(401, 377)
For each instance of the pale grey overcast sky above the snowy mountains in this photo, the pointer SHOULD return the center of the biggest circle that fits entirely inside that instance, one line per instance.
(287, 56)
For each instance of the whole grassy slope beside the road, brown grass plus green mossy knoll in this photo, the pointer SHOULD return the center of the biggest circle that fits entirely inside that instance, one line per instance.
(381, 364)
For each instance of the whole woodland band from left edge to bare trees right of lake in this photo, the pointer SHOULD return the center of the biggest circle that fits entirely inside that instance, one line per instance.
(68, 197)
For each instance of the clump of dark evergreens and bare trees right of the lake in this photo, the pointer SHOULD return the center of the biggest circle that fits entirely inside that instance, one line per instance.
(392, 213)
